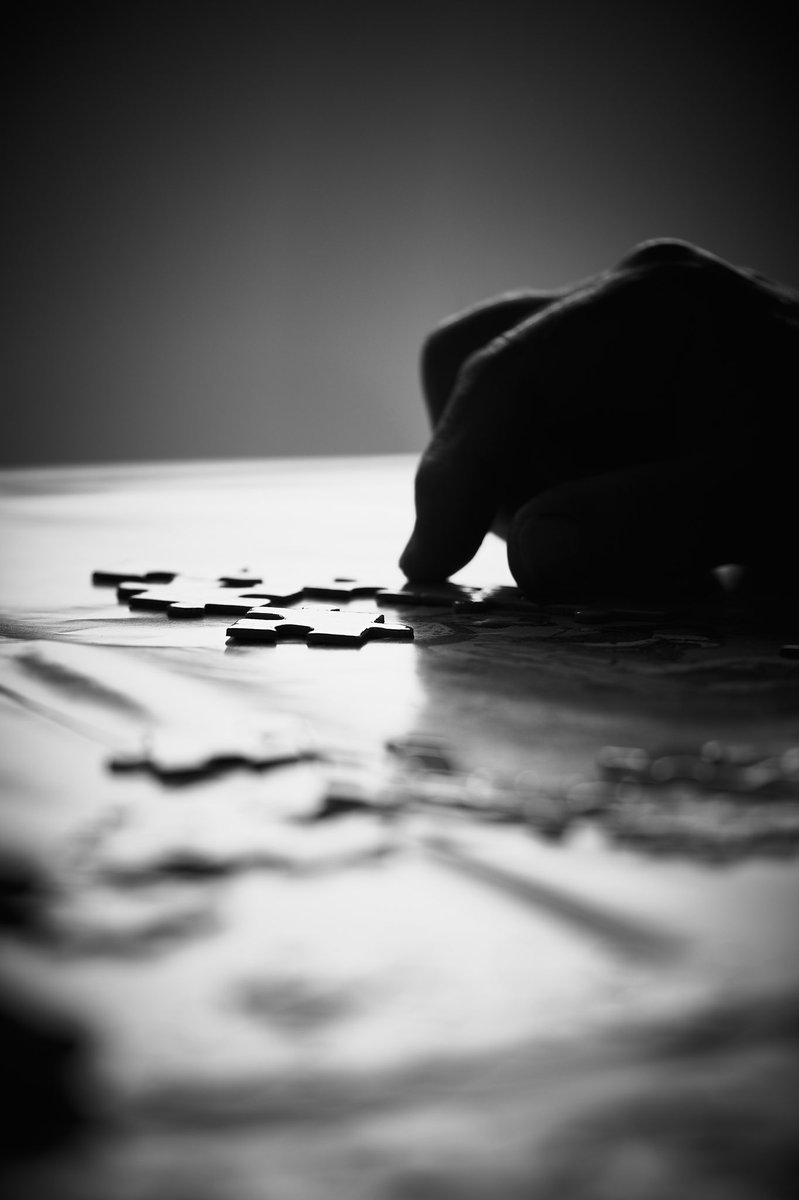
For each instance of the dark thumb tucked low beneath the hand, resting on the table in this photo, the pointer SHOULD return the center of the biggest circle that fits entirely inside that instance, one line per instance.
(616, 532)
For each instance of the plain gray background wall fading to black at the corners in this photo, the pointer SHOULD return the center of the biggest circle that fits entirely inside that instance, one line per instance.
(229, 226)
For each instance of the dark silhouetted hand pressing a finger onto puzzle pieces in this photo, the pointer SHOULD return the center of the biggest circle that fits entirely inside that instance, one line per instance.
(636, 428)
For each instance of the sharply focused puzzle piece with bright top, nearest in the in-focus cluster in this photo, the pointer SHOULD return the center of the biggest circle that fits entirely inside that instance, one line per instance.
(316, 627)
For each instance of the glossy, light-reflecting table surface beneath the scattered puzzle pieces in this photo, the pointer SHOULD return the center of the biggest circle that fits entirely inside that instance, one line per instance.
(410, 1001)
